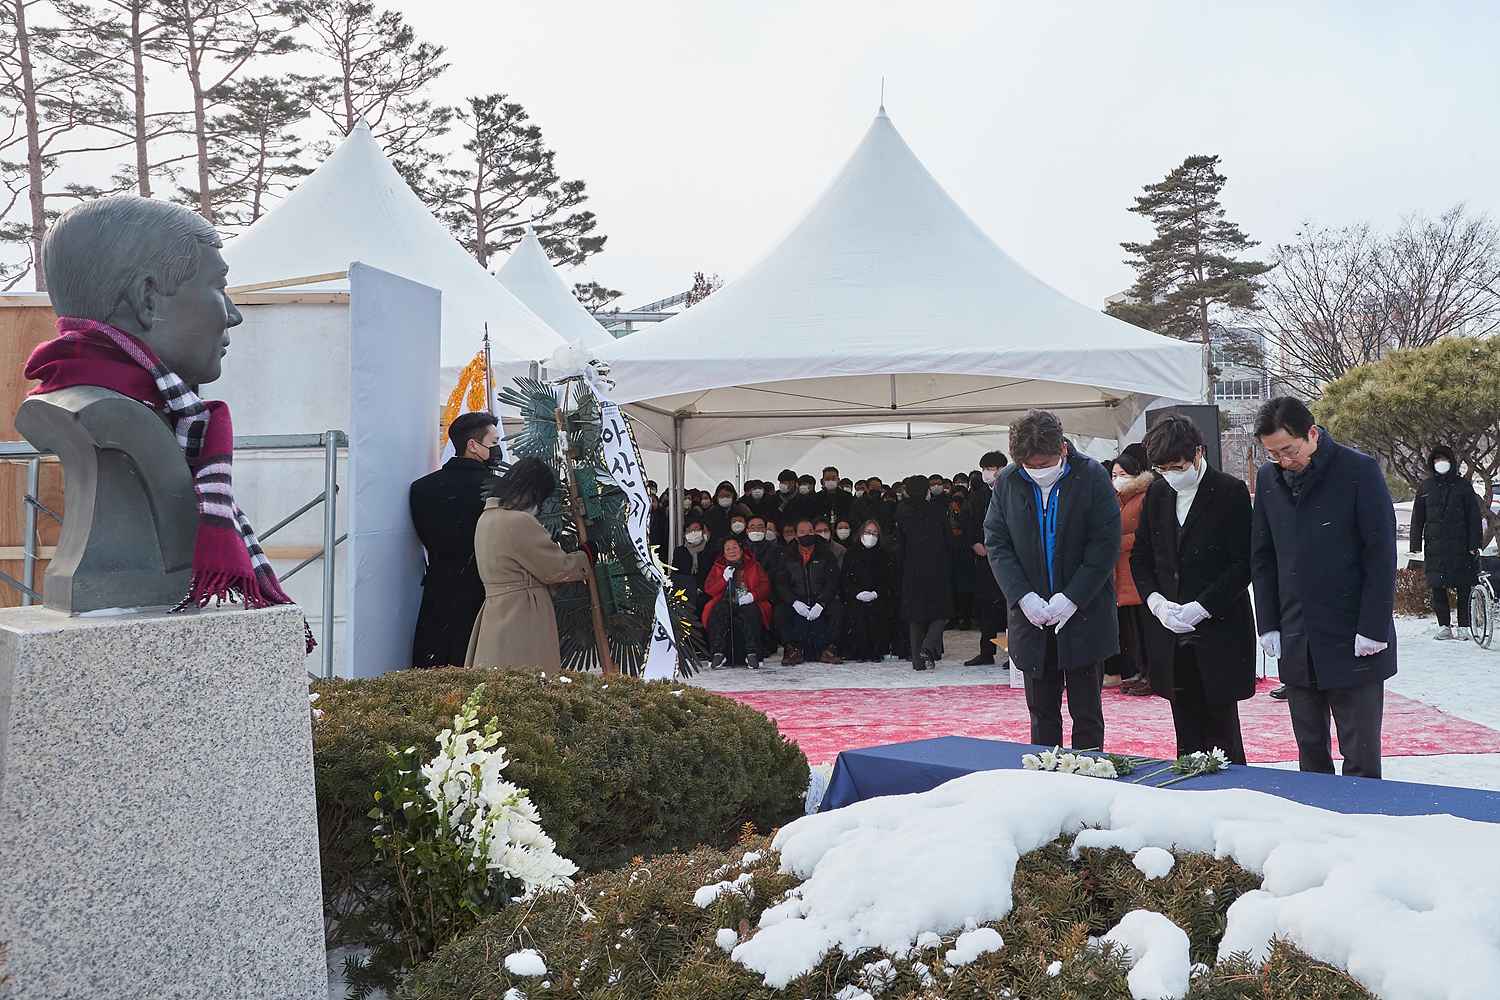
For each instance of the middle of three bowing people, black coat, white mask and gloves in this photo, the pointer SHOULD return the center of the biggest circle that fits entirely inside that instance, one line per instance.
(1192, 566)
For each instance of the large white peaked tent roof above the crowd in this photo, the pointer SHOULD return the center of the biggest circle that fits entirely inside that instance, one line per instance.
(887, 304)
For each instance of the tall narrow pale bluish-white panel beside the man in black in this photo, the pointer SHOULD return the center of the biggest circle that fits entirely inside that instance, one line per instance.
(394, 440)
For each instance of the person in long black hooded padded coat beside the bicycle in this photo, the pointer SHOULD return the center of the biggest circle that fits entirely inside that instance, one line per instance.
(1448, 528)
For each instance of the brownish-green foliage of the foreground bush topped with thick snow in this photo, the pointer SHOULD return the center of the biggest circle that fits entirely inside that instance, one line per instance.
(641, 933)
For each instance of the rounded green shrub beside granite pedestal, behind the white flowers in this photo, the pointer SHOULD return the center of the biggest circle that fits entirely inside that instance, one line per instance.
(619, 768)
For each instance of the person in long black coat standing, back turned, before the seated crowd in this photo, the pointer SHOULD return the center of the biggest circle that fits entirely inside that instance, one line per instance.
(923, 539)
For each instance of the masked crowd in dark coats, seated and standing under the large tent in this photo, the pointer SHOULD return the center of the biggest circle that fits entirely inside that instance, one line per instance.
(830, 569)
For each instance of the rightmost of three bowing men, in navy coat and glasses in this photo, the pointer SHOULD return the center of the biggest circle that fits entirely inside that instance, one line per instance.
(1324, 564)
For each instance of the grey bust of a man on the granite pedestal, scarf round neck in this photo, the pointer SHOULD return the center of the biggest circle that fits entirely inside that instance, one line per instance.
(151, 271)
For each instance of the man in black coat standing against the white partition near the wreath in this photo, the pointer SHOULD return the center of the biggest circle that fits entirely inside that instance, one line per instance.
(445, 509)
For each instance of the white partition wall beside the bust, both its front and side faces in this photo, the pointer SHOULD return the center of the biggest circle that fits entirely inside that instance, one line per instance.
(344, 365)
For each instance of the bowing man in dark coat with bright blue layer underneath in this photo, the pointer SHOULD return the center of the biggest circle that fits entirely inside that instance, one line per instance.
(1054, 537)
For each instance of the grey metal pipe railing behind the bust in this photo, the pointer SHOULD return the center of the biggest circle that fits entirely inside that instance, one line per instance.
(329, 443)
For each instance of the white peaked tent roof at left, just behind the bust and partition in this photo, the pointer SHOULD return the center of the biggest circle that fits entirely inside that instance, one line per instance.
(356, 208)
